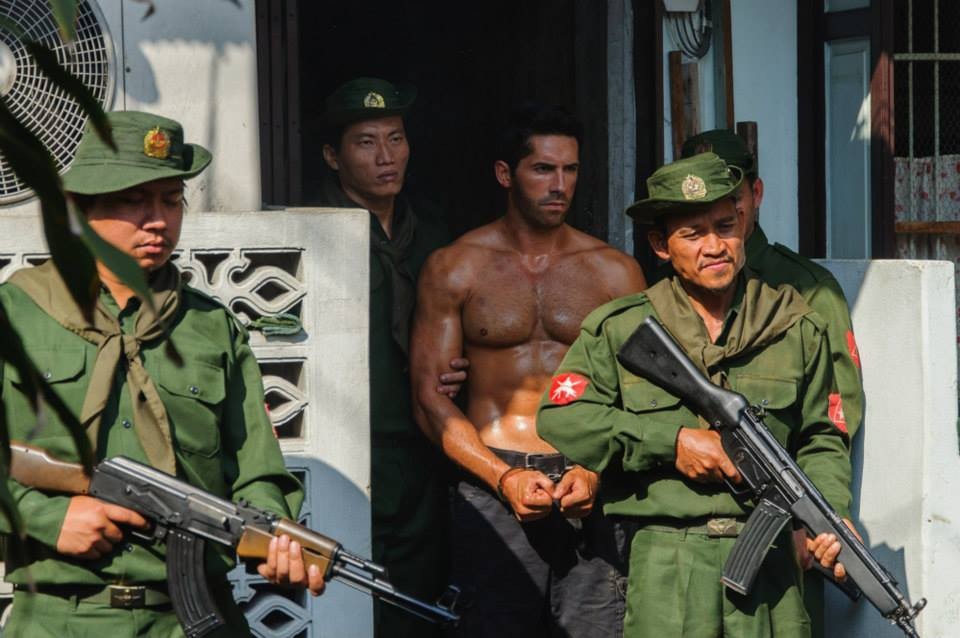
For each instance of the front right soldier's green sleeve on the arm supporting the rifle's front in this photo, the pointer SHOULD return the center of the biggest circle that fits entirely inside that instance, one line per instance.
(822, 450)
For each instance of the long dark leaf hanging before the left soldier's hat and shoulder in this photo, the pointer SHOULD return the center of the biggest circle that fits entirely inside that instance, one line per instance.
(32, 163)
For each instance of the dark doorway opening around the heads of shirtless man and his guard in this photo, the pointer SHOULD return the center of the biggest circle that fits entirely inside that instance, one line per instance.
(471, 62)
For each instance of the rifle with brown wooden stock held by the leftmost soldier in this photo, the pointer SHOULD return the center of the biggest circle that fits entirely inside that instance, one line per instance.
(185, 517)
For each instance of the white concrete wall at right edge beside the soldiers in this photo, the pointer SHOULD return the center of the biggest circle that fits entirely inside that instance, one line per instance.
(906, 461)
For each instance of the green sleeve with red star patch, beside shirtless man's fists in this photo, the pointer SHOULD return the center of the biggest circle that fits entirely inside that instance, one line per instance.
(594, 430)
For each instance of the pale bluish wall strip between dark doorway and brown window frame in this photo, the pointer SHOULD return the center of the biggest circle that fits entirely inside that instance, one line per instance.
(764, 36)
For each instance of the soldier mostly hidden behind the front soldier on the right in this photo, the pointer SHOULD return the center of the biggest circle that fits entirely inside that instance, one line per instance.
(776, 265)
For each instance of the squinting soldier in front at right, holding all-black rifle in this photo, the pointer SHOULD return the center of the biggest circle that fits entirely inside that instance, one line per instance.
(662, 469)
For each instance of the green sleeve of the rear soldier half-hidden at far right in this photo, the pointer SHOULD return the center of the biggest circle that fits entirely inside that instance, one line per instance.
(829, 302)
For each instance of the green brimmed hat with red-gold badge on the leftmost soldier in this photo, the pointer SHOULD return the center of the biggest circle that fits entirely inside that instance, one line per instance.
(149, 147)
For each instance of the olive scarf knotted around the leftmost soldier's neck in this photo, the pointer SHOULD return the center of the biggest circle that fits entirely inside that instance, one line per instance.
(48, 290)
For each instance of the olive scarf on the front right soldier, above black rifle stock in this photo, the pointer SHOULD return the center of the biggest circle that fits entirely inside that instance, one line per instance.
(764, 314)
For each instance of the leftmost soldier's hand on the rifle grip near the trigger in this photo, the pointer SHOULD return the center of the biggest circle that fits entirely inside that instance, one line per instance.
(90, 528)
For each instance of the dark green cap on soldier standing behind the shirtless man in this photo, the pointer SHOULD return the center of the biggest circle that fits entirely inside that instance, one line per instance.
(367, 99)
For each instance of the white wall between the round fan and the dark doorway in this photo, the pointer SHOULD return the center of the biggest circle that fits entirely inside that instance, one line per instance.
(197, 62)
